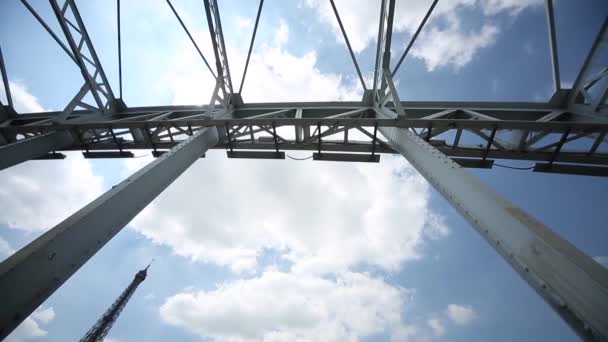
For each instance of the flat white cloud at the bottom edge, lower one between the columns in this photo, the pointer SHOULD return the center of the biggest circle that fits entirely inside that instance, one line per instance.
(286, 307)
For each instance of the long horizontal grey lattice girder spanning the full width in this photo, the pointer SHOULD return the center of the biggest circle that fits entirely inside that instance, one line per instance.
(524, 131)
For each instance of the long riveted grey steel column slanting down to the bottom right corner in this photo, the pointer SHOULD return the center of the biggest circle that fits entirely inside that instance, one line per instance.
(572, 283)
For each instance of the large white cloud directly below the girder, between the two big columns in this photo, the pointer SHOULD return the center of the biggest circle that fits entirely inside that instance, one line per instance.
(322, 217)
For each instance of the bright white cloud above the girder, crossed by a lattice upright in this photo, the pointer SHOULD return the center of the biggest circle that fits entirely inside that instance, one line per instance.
(274, 74)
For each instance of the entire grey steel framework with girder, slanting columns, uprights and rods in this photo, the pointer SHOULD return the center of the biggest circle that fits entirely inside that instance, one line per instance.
(564, 135)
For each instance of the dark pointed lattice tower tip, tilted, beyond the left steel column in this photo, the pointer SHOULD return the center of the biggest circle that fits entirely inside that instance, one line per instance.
(101, 328)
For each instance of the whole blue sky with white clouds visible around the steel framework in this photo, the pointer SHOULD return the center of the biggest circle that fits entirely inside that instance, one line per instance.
(281, 250)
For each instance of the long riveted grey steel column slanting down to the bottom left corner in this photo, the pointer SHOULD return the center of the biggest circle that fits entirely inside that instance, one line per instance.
(31, 275)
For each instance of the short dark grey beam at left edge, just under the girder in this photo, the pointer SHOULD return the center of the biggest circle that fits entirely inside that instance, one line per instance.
(30, 148)
